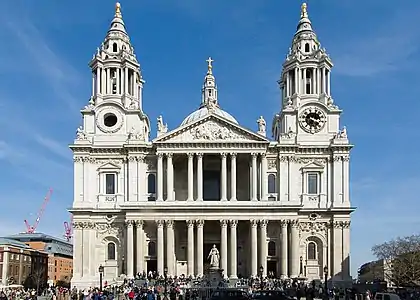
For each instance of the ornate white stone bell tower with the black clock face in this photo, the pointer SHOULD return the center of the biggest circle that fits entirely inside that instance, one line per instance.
(307, 112)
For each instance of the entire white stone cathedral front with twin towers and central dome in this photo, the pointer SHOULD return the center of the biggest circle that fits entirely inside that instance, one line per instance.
(277, 205)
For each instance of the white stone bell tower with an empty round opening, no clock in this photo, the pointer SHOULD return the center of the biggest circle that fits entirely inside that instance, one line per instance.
(115, 109)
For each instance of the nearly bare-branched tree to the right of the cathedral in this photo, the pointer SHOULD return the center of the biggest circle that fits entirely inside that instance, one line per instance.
(401, 260)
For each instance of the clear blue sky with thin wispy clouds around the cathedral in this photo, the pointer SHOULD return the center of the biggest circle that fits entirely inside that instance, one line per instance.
(45, 80)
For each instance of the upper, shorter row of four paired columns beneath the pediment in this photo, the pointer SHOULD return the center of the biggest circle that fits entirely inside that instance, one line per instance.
(223, 176)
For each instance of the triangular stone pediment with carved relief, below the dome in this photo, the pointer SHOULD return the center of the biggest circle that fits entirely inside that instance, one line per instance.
(211, 128)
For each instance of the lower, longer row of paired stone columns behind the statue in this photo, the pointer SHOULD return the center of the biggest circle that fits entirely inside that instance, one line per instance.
(228, 247)
